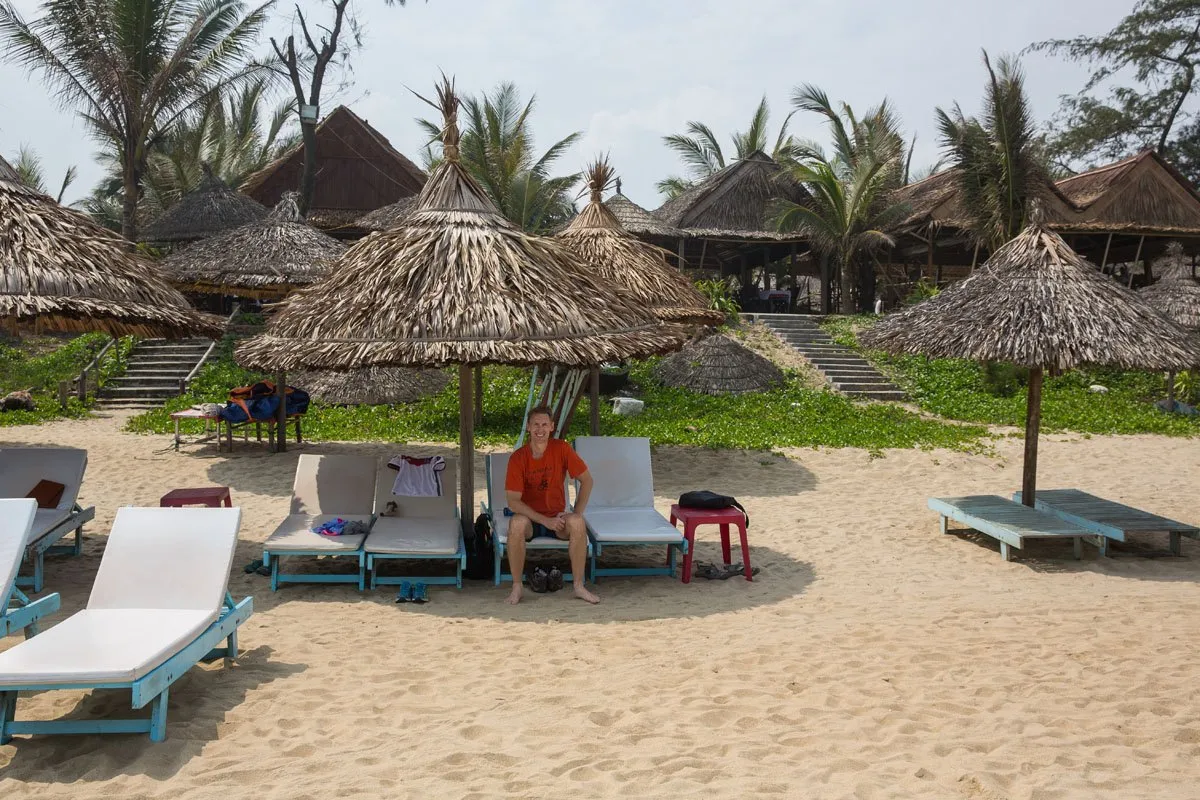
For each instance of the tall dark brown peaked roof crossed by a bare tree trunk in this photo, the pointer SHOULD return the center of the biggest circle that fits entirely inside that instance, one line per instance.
(359, 172)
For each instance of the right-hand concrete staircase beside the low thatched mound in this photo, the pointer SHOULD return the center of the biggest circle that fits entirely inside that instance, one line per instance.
(844, 369)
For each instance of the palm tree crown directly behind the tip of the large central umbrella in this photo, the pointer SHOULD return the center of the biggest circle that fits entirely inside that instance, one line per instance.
(499, 149)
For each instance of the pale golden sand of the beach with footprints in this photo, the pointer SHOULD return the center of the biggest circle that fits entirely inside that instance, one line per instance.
(872, 658)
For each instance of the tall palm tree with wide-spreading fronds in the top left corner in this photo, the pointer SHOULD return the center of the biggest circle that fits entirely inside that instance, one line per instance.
(135, 69)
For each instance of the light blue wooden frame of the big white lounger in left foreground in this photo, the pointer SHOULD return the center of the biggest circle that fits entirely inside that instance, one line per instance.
(152, 689)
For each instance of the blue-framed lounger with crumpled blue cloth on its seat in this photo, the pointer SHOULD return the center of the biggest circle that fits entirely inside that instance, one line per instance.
(326, 488)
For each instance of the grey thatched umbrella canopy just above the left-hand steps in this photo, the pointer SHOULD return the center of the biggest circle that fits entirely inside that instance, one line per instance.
(268, 258)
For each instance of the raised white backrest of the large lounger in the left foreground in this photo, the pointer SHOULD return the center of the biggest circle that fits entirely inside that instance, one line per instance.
(167, 560)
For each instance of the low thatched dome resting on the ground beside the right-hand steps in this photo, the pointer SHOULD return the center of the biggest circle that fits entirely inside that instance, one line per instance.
(718, 365)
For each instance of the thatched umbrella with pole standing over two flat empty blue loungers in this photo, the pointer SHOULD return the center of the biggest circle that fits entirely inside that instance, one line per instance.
(1039, 305)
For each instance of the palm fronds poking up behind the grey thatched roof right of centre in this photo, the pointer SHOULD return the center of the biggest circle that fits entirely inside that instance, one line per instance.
(703, 155)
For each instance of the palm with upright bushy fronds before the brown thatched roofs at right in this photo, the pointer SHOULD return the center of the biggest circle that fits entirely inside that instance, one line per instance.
(1000, 166)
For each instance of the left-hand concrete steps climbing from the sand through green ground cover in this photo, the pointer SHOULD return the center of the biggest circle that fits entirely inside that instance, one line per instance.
(153, 374)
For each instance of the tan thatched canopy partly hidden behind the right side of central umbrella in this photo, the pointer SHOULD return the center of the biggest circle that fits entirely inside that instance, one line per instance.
(620, 258)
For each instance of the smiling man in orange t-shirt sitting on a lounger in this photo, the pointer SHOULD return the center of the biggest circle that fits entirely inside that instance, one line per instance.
(535, 486)
